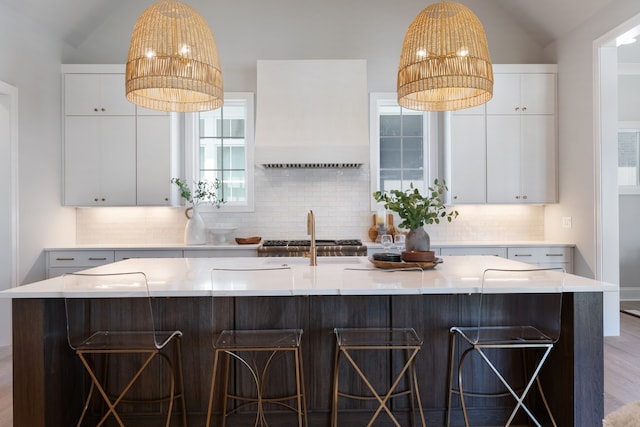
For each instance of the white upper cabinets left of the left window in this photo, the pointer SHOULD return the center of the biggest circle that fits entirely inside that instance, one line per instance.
(116, 154)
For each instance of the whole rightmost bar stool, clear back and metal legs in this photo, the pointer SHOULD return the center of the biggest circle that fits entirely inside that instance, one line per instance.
(532, 325)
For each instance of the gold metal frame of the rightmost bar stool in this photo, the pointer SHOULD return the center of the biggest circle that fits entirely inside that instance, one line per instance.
(481, 338)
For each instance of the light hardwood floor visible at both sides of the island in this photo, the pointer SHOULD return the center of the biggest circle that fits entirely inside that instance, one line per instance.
(621, 369)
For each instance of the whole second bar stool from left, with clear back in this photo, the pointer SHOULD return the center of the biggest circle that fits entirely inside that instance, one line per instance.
(256, 352)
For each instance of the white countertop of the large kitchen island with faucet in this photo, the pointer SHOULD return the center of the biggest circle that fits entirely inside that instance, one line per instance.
(183, 277)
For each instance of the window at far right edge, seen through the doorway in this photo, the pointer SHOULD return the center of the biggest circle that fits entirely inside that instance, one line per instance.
(629, 157)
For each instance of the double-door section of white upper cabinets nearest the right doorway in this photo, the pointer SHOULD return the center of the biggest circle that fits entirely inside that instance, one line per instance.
(521, 138)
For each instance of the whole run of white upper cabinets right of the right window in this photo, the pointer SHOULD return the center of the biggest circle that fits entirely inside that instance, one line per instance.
(505, 151)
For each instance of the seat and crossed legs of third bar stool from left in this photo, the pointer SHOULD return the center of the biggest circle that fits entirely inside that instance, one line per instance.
(349, 342)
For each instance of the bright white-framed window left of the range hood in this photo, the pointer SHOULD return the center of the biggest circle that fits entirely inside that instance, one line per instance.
(223, 149)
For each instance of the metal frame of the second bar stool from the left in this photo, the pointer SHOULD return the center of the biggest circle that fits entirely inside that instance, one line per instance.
(277, 342)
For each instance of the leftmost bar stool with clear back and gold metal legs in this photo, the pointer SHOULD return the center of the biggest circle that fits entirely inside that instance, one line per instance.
(122, 325)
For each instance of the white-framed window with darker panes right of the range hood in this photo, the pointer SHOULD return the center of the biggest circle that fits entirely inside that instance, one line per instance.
(402, 152)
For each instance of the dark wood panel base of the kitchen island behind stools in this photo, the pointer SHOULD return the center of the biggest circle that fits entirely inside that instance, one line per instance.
(49, 383)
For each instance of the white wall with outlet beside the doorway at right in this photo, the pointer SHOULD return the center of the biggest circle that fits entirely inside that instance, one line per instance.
(576, 134)
